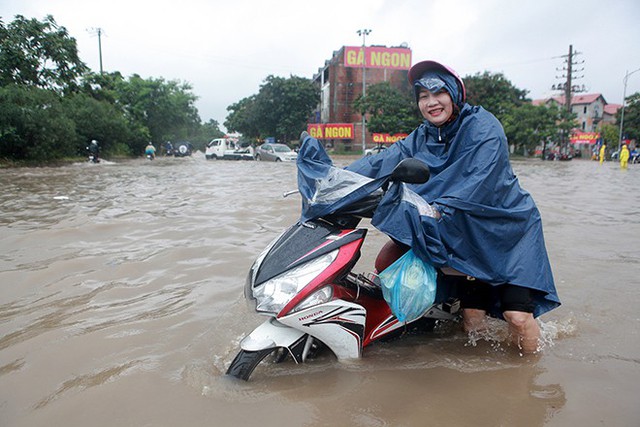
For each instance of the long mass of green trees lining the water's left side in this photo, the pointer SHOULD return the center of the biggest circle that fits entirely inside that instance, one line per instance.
(52, 106)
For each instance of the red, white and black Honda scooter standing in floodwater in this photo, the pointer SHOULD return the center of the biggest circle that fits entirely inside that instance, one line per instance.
(303, 281)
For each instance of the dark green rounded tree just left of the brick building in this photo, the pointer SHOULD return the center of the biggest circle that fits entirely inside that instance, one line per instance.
(281, 109)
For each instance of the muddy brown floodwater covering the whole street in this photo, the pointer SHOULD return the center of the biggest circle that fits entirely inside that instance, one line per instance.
(121, 305)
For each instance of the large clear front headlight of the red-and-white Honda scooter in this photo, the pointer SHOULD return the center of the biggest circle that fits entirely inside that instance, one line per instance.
(273, 295)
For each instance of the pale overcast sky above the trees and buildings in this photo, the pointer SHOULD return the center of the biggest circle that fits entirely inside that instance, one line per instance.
(226, 49)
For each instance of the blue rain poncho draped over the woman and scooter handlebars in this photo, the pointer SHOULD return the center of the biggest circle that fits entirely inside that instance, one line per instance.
(490, 228)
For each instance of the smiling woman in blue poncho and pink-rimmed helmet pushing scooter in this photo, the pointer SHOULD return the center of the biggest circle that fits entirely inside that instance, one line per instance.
(486, 233)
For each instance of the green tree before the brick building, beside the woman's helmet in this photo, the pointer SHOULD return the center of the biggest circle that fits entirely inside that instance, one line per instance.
(390, 110)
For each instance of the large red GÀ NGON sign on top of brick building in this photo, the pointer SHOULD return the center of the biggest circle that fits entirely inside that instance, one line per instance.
(377, 57)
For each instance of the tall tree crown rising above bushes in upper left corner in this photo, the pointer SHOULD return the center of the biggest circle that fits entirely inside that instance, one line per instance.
(41, 54)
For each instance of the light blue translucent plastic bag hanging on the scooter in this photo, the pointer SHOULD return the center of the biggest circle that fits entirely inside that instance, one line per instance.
(409, 286)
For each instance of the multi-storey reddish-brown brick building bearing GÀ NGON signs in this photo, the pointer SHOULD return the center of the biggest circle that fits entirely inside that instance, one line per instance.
(341, 83)
